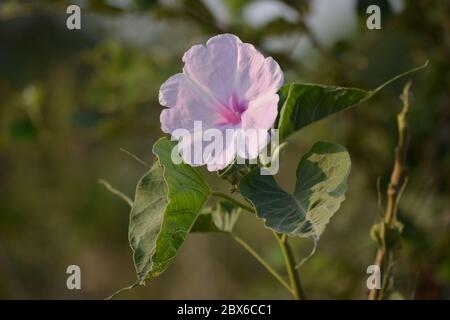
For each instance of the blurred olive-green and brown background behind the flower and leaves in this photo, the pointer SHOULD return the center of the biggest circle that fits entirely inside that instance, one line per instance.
(69, 100)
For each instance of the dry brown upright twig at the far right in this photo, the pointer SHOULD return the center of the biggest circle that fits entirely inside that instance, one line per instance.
(393, 192)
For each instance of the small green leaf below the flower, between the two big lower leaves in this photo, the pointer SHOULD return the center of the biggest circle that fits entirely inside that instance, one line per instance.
(221, 218)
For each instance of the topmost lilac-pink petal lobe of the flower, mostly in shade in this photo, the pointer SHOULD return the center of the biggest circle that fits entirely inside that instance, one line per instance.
(214, 66)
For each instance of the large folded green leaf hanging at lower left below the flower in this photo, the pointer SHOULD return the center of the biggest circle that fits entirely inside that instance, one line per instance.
(167, 202)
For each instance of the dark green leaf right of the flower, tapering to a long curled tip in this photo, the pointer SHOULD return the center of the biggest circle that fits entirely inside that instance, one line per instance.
(303, 103)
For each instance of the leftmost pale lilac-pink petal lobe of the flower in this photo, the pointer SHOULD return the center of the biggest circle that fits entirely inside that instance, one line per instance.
(186, 103)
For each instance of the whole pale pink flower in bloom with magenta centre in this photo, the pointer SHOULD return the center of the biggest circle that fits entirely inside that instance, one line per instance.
(225, 85)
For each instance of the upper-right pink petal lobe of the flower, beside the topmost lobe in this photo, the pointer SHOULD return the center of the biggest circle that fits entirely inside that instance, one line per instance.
(257, 75)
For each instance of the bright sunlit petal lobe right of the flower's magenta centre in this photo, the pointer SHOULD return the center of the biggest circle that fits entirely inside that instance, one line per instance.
(261, 113)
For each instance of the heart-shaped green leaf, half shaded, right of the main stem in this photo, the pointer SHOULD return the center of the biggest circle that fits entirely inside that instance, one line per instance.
(321, 185)
